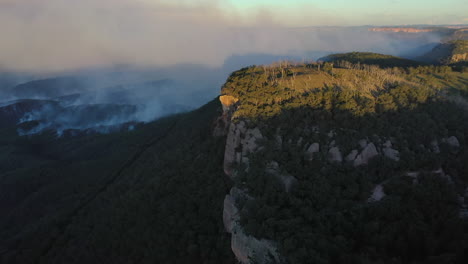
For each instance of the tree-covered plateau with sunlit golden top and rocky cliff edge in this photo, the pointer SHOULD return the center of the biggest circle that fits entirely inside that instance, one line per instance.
(342, 162)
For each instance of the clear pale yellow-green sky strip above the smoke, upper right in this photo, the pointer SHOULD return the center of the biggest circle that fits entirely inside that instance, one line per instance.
(357, 12)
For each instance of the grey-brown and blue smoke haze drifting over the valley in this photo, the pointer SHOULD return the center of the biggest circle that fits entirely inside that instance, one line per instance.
(120, 53)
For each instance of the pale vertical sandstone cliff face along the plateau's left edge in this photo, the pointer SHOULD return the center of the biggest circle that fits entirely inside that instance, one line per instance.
(241, 141)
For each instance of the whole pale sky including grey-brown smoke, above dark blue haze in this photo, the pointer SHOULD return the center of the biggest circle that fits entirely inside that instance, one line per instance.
(60, 35)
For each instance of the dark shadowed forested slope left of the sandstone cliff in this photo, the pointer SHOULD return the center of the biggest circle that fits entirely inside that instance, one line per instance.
(153, 195)
